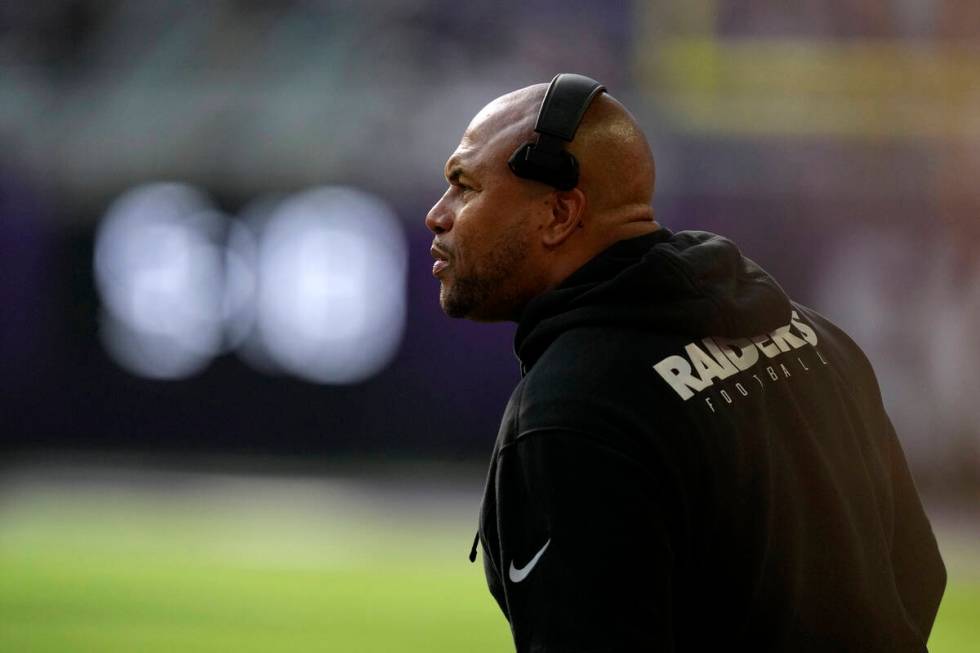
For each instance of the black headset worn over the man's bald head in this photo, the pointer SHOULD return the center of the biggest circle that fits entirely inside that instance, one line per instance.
(546, 159)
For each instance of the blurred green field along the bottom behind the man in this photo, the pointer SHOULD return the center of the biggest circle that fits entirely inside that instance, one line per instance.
(201, 563)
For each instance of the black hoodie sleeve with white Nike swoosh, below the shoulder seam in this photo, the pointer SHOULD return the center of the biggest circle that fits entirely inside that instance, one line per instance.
(586, 564)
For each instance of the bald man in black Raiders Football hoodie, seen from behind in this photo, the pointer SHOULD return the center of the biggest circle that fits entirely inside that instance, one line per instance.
(691, 461)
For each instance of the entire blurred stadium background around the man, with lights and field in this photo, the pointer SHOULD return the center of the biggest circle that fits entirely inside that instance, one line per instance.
(232, 416)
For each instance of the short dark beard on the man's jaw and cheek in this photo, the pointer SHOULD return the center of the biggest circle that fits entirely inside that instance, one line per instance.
(482, 294)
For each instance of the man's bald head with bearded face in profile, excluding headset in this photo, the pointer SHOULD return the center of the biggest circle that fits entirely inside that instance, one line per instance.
(501, 240)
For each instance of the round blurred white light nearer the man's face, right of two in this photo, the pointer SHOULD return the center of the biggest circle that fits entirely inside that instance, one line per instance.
(332, 268)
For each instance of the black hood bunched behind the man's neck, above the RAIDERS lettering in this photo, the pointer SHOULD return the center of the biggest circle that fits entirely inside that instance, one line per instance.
(691, 283)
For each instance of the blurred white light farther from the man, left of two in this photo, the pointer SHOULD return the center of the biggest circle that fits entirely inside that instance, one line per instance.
(158, 266)
